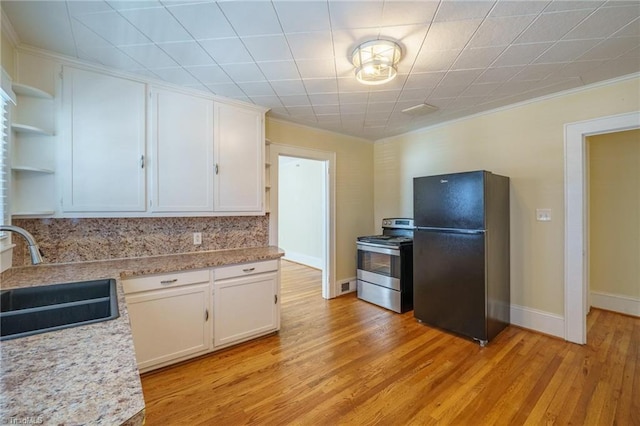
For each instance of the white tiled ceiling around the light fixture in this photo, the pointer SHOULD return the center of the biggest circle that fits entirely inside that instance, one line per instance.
(463, 57)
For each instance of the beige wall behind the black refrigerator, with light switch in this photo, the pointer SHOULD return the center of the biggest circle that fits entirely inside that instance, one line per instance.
(525, 143)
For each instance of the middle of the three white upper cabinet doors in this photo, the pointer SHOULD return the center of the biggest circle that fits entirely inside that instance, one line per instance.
(182, 156)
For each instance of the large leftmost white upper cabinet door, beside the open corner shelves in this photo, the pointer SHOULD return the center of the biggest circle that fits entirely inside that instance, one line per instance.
(104, 143)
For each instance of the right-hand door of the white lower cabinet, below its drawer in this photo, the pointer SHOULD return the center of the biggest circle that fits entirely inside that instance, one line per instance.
(245, 307)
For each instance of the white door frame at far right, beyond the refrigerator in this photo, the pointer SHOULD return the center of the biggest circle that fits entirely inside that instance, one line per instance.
(576, 279)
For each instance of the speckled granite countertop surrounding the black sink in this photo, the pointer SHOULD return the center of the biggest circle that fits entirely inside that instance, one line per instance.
(88, 374)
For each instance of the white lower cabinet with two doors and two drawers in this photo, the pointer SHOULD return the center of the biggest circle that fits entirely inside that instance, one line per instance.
(181, 315)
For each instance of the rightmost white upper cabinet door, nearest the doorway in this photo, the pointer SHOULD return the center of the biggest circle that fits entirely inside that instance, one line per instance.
(239, 159)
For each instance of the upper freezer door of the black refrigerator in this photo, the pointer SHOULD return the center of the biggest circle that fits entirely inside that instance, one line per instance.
(453, 201)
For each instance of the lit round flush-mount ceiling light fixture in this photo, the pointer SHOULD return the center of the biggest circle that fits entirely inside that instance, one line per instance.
(376, 61)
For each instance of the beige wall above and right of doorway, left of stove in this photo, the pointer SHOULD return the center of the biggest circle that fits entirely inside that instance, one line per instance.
(354, 189)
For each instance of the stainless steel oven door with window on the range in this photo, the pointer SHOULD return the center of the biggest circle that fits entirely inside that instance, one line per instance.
(379, 265)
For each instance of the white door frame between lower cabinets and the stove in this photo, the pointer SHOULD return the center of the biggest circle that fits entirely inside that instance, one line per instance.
(329, 290)
